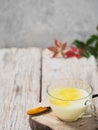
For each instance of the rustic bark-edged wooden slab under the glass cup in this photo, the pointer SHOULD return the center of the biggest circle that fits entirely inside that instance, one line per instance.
(50, 122)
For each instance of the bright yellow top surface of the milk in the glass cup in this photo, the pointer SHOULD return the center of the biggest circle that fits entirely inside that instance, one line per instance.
(65, 96)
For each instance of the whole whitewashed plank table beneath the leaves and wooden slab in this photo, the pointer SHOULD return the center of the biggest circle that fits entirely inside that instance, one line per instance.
(24, 76)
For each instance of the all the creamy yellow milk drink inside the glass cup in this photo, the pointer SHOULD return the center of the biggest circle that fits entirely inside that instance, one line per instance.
(69, 103)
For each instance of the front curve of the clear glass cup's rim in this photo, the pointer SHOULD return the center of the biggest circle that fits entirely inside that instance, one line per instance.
(89, 94)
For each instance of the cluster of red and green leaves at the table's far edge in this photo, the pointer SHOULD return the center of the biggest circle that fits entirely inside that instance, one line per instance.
(77, 49)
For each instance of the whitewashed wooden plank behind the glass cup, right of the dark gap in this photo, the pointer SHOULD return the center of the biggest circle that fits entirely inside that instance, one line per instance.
(54, 69)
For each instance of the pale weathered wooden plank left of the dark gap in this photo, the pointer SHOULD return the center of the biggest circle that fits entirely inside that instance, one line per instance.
(19, 86)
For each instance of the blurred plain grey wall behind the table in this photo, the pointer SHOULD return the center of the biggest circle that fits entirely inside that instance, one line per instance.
(37, 23)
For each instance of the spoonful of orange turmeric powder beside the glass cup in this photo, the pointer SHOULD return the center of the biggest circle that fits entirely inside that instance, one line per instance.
(38, 110)
